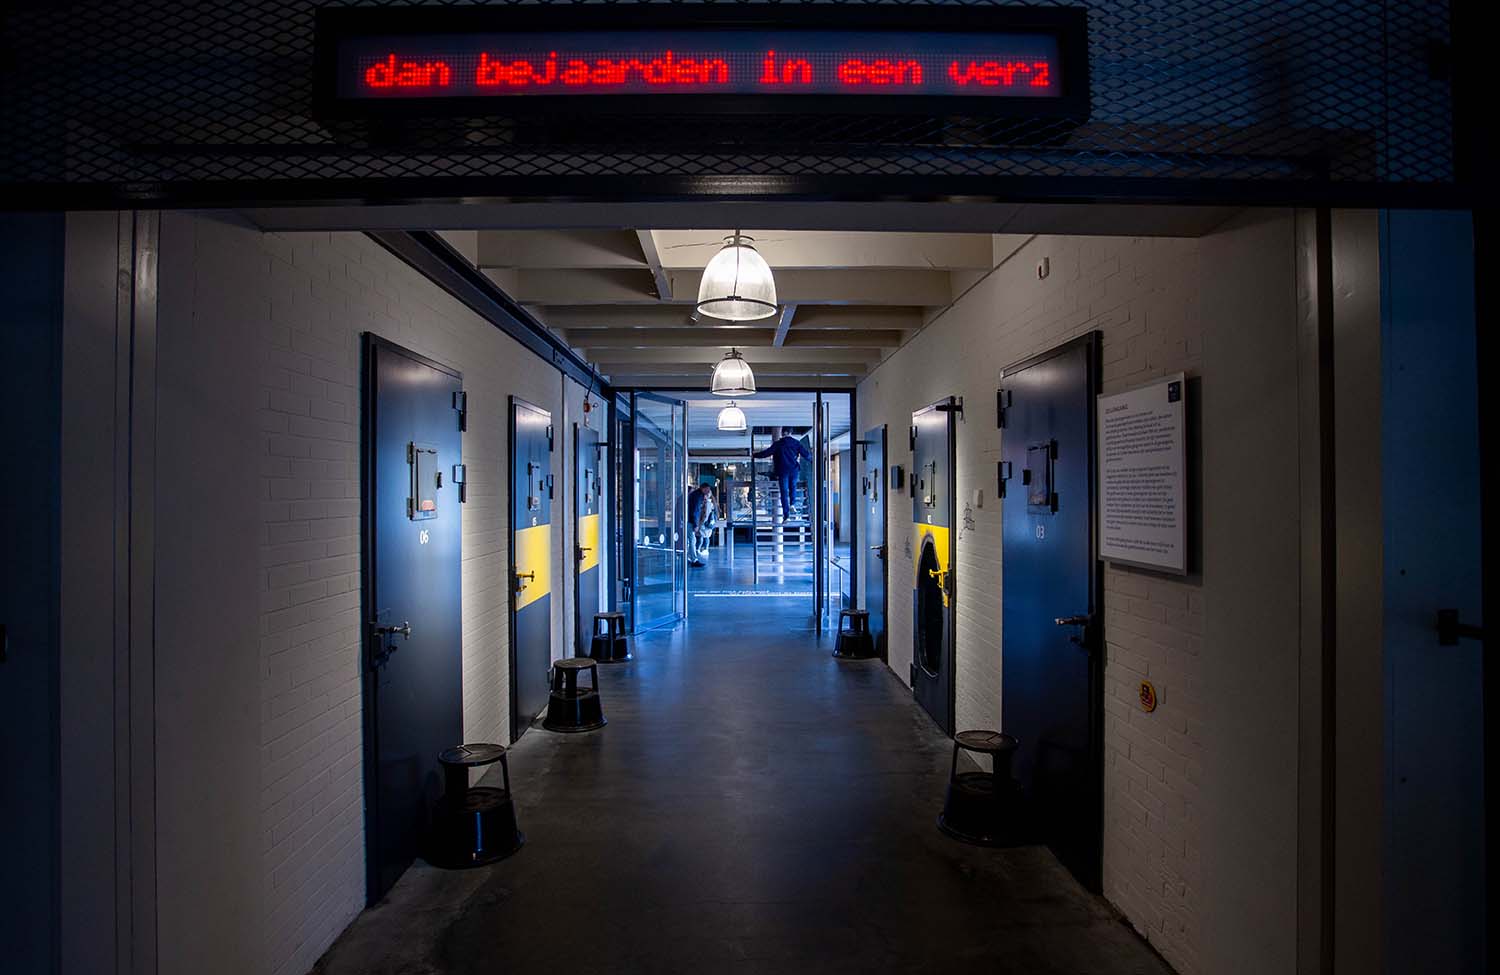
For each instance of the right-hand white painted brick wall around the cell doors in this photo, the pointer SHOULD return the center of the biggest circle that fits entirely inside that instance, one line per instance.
(1144, 296)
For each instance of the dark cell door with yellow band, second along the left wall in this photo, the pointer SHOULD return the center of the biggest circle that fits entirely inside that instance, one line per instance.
(532, 496)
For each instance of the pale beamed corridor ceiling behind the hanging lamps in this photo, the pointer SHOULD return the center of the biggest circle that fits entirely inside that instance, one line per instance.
(625, 299)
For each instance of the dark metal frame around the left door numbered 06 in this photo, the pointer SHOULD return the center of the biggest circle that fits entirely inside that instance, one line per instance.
(370, 700)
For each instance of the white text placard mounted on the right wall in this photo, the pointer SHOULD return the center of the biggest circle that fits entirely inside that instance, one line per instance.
(1142, 472)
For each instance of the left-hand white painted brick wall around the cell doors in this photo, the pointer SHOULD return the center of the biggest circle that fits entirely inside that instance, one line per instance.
(311, 296)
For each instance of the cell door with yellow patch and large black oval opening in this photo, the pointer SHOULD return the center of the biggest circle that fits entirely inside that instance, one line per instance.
(934, 503)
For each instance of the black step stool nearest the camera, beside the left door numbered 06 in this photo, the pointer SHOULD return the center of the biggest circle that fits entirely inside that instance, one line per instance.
(473, 826)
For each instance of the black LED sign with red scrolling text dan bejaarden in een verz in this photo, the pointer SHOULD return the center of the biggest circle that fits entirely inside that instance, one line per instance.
(998, 61)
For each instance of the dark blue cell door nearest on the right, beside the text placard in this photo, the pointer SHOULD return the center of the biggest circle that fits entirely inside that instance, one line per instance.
(1052, 647)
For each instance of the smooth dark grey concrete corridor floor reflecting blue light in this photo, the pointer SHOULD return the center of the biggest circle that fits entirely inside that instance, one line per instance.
(754, 806)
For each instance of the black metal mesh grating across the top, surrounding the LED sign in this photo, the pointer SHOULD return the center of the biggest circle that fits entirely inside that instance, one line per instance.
(155, 98)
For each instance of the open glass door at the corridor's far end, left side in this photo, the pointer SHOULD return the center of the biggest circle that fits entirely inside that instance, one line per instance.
(659, 455)
